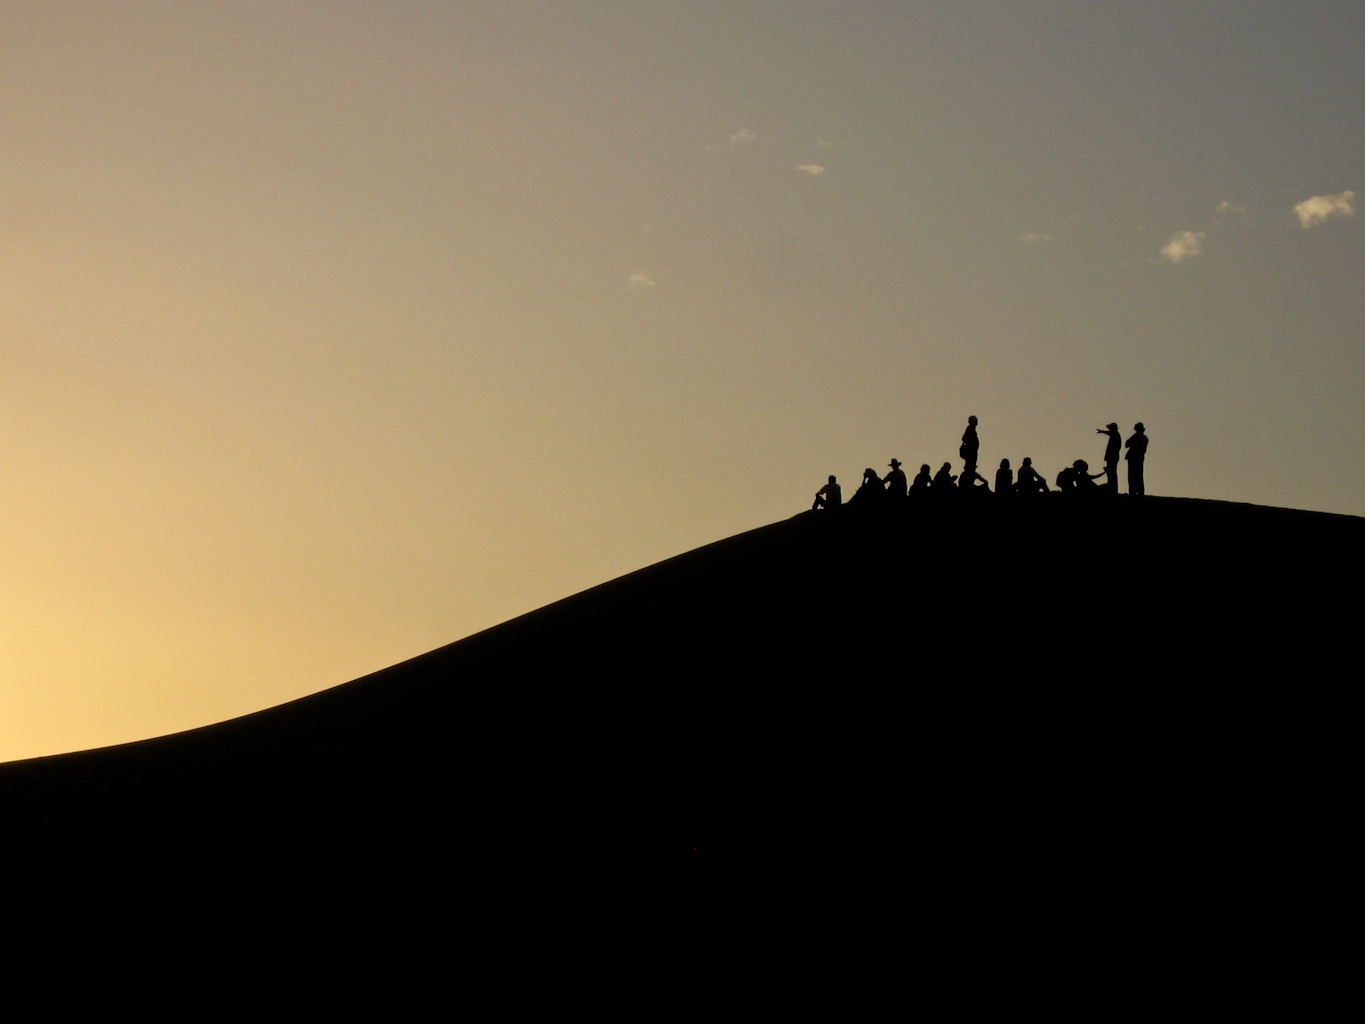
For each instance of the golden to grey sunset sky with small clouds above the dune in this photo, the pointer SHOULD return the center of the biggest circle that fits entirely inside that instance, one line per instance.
(334, 332)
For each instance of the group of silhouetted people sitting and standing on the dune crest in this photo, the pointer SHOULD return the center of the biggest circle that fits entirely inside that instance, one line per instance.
(1075, 480)
